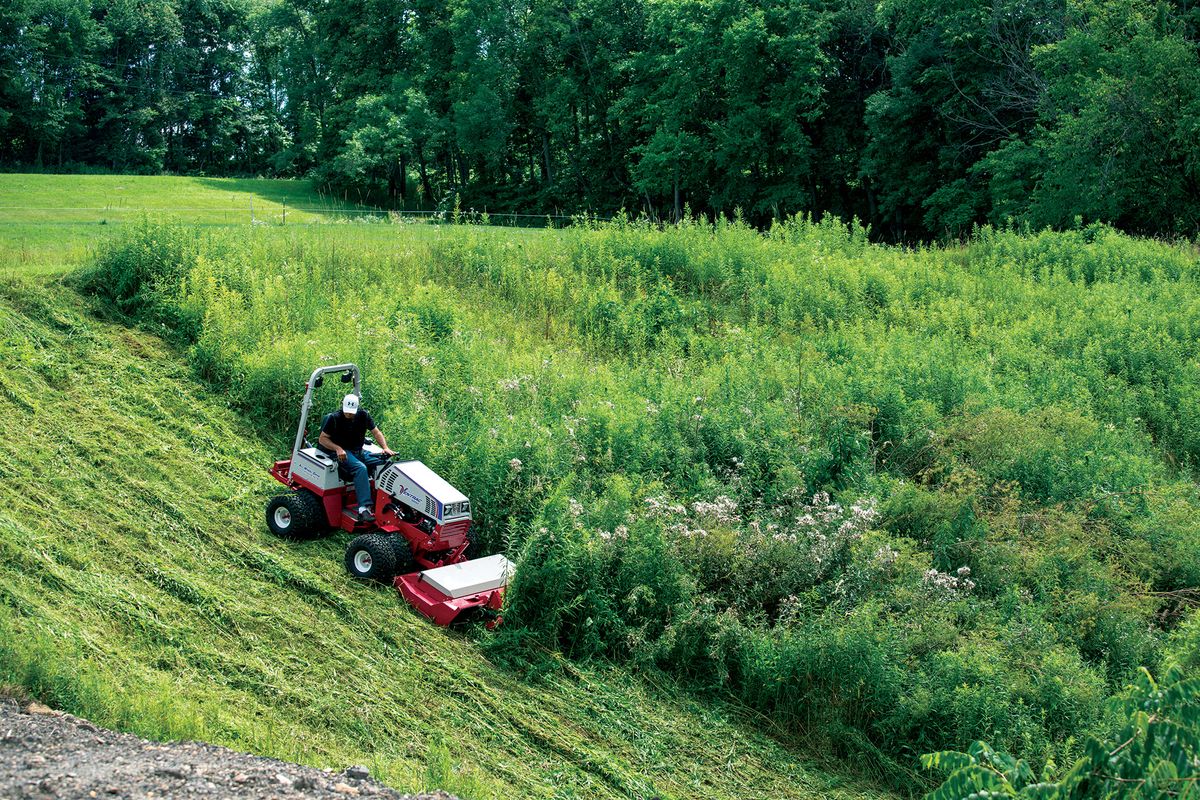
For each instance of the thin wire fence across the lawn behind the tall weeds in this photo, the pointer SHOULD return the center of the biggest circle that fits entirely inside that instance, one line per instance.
(275, 214)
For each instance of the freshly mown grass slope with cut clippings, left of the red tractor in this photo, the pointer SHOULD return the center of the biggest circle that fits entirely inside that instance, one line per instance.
(140, 588)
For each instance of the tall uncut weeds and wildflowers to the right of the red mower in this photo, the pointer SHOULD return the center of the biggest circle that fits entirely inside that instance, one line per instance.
(899, 501)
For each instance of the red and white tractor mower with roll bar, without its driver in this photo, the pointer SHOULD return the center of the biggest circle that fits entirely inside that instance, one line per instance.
(421, 540)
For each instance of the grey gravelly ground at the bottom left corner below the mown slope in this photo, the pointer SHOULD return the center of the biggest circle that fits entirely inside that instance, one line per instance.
(46, 754)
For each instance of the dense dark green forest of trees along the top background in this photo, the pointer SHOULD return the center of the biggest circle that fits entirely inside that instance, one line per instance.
(922, 118)
